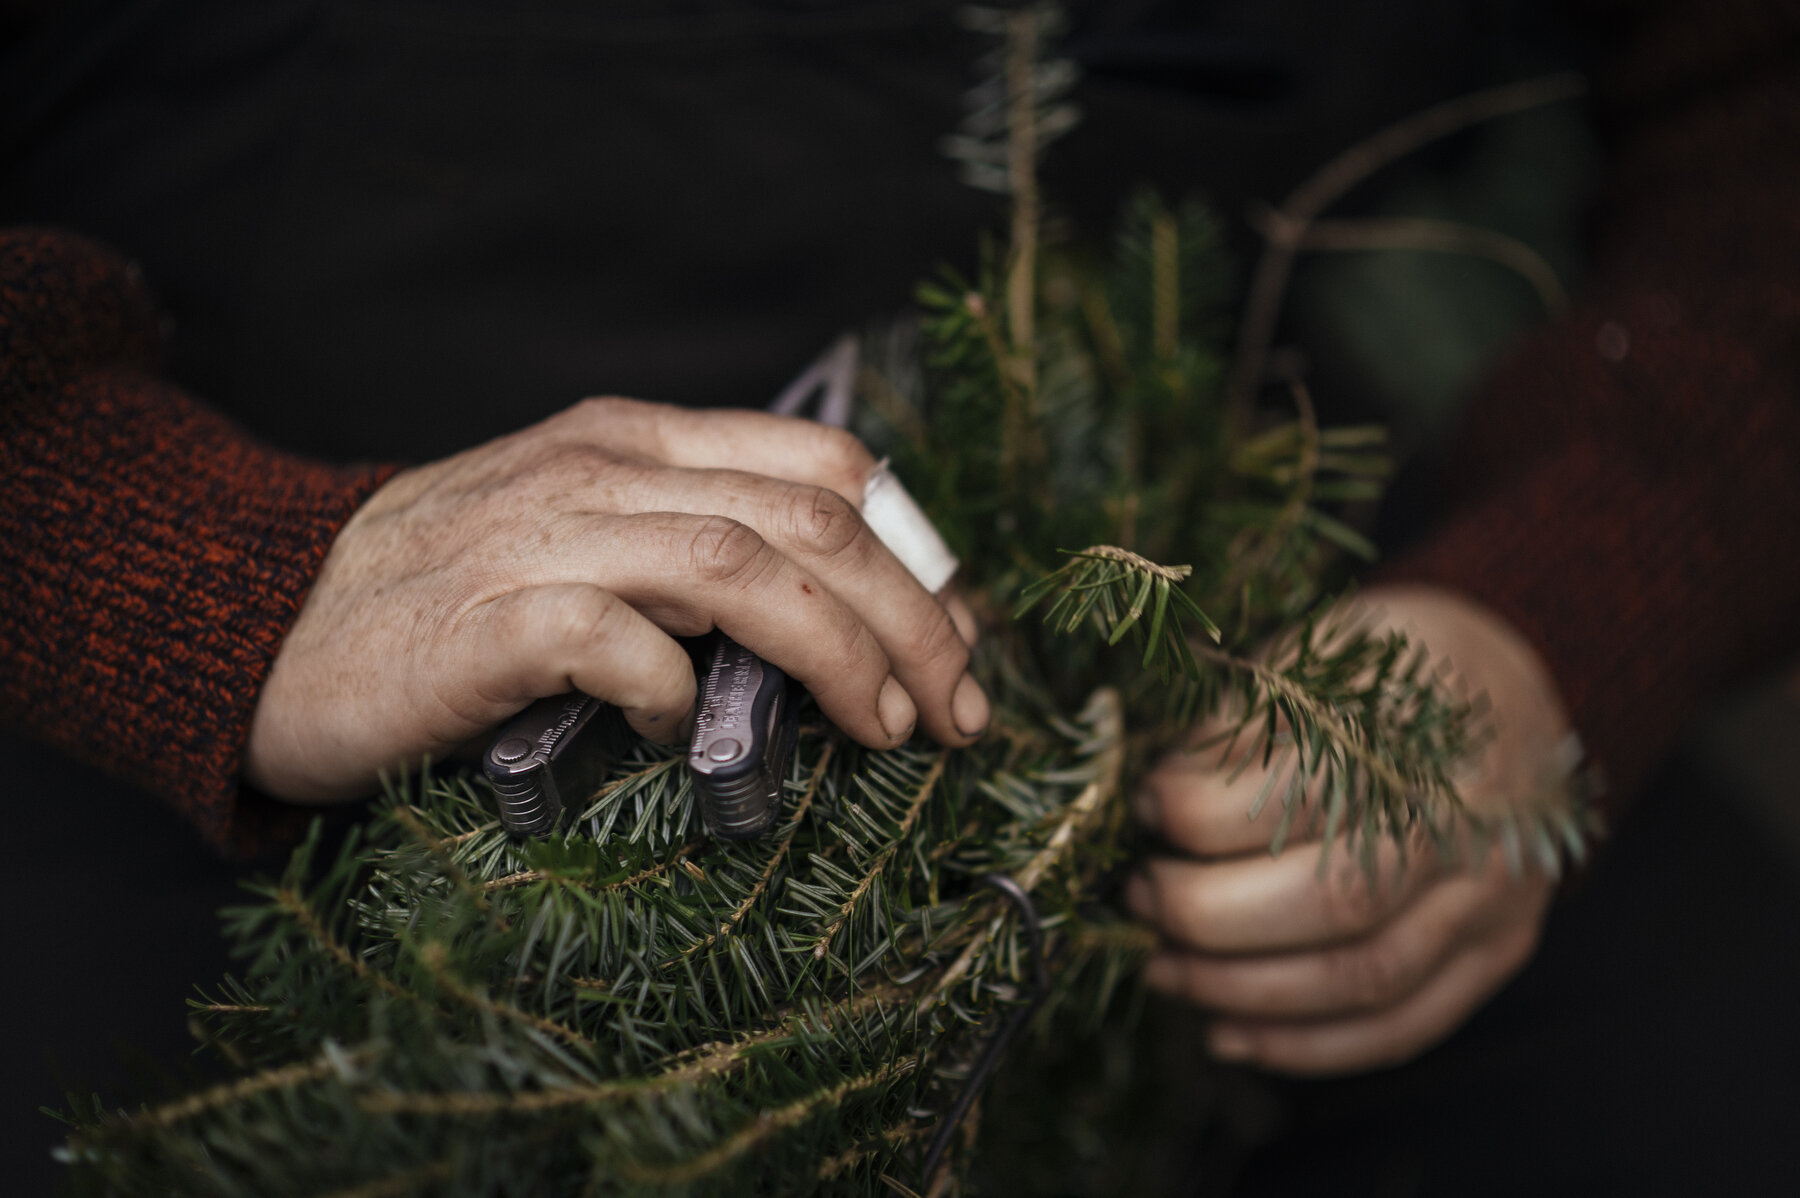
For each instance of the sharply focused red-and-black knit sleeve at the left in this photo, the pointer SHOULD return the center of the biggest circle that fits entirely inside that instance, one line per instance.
(152, 555)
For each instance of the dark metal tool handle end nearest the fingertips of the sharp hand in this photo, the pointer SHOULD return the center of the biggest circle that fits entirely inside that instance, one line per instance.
(742, 740)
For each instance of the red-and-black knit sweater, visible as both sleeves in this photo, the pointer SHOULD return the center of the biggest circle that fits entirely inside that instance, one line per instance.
(1630, 483)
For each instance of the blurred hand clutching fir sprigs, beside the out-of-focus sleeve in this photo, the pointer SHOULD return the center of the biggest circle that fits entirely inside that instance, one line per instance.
(1317, 974)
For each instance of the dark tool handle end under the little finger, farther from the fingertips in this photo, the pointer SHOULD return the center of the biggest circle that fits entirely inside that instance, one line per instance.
(544, 758)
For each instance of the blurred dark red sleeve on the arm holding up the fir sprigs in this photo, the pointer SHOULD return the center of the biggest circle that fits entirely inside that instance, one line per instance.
(1630, 483)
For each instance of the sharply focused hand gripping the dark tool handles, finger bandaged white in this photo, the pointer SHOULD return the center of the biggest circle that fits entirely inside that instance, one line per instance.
(566, 557)
